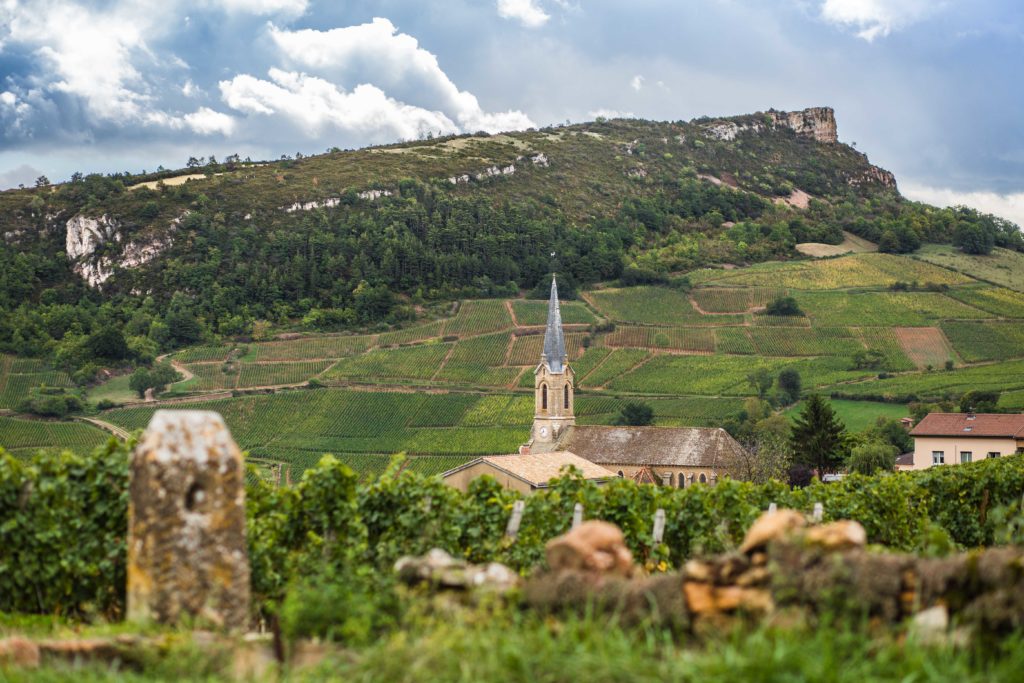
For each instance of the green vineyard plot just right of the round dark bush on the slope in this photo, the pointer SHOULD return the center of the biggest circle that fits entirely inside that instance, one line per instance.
(883, 309)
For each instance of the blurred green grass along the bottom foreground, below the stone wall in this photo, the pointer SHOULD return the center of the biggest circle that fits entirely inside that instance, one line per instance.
(497, 644)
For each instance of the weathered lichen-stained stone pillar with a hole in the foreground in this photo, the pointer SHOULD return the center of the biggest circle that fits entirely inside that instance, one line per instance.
(187, 523)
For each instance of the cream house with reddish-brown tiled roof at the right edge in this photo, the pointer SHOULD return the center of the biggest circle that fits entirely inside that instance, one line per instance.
(953, 439)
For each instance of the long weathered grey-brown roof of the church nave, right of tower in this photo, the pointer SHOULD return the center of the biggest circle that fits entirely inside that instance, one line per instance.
(658, 447)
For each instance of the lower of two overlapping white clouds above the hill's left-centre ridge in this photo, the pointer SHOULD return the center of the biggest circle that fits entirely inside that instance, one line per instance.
(315, 106)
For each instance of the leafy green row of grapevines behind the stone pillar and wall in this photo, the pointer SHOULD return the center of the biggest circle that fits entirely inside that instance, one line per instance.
(63, 521)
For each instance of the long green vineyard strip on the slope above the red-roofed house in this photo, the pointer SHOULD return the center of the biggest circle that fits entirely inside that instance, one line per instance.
(935, 386)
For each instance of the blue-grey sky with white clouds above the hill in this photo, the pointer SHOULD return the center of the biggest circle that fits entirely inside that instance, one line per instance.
(929, 90)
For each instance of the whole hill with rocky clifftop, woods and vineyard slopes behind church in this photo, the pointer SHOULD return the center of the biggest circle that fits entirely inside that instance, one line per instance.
(400, 269)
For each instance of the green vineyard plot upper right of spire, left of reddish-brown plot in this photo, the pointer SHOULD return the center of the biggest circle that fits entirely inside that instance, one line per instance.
(655, 306)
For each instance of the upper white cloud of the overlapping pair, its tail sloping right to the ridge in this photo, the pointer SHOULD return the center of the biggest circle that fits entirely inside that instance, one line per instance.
(377, 55)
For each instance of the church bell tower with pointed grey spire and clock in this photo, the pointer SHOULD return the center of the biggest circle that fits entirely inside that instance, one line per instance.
(554, 381)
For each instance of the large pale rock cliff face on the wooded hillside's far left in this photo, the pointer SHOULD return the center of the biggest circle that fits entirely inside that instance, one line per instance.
(87, 236)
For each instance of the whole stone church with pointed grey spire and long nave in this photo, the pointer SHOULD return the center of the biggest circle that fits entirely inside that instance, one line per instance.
(666, 456)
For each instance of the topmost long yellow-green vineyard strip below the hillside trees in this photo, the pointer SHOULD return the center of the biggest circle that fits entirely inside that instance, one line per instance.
(843, 273)
